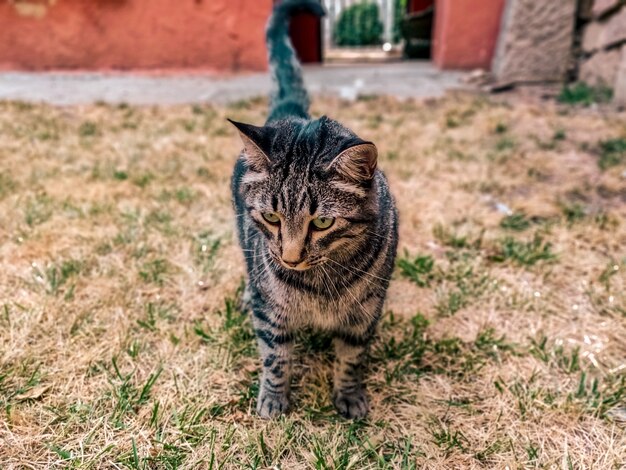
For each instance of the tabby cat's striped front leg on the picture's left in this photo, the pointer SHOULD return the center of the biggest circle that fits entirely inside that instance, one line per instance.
(275, 345)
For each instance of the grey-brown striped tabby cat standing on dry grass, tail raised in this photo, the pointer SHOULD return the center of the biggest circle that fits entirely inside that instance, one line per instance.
(318, 228)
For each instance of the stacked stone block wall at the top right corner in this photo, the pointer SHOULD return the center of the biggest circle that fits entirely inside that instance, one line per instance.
(603, 46)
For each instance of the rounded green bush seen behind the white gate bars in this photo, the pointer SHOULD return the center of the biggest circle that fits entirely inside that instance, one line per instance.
(359, 25)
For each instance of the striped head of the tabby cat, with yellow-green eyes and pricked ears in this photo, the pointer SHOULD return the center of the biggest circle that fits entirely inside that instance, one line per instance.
(308, 187)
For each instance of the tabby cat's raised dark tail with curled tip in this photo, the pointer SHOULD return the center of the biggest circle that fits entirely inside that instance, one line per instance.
(289, 97)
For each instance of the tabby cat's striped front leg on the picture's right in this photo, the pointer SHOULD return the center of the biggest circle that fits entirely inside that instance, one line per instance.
(349, 395)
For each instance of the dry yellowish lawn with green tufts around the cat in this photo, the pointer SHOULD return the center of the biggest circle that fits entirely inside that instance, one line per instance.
(502, 345)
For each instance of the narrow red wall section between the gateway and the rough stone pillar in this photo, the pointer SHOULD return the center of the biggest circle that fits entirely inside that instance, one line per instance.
(466, 32)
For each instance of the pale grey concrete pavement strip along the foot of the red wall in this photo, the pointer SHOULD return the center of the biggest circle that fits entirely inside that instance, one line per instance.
(401, 79)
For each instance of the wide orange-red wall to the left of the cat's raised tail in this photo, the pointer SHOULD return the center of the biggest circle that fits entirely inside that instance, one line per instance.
(133, 34)
